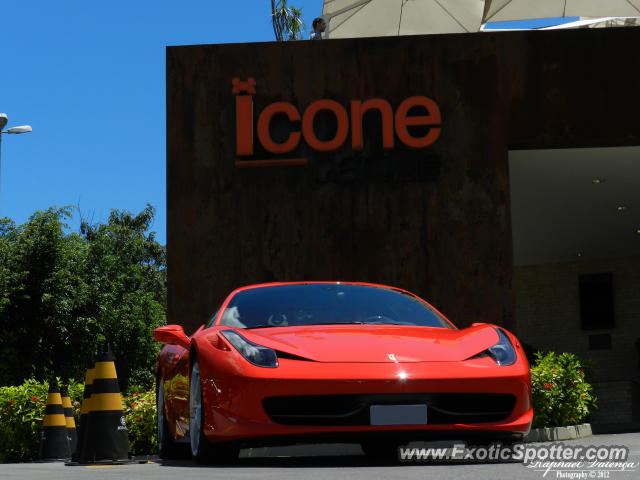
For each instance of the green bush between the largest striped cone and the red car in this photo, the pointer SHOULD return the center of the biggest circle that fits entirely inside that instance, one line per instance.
(140, 412)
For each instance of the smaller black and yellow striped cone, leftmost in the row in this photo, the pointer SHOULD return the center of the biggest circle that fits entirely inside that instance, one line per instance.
(54, 443)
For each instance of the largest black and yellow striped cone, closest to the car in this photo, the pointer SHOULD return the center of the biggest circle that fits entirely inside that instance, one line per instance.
(107, 439)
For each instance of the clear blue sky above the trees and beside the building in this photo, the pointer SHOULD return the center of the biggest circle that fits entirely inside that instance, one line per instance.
(89, 77)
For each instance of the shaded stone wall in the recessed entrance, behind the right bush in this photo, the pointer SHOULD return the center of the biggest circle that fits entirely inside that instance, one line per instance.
(547, 310)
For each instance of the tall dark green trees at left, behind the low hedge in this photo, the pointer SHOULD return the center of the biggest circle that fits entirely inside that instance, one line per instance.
(62, 294)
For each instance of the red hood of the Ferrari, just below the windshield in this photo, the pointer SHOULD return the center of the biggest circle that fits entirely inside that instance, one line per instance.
(376, 343)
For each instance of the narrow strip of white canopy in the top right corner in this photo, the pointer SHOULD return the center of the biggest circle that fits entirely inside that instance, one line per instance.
(507, 10)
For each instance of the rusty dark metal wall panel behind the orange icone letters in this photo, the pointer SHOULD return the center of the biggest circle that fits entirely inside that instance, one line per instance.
(434, 221)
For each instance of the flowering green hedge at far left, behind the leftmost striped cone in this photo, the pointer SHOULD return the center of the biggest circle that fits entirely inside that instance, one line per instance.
(21, 414)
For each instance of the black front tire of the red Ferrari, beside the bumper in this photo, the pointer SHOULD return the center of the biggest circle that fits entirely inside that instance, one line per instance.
(203, 451)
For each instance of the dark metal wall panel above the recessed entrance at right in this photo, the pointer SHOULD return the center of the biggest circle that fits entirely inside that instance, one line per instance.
(571, 88)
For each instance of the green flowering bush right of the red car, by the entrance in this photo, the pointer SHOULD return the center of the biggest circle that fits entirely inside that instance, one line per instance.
(560, 394)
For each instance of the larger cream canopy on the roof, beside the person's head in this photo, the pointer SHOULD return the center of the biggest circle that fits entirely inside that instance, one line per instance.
(376, 18)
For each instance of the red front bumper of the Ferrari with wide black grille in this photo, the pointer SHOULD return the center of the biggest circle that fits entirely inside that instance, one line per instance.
(235, 402)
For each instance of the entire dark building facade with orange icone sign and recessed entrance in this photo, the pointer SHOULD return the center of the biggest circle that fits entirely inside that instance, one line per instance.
(422, 162)
